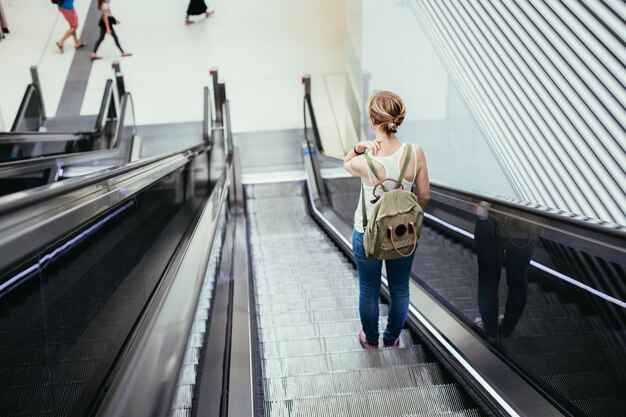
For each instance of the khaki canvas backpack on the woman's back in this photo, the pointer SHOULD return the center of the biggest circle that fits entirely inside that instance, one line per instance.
(396, 219)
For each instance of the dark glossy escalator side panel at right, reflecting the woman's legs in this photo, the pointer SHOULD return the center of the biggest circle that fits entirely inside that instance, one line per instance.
(569, 340)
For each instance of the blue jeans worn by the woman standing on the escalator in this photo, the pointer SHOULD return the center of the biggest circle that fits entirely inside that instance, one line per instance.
(398, 273)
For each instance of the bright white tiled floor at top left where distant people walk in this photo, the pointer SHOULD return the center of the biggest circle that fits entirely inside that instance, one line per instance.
(261, 49)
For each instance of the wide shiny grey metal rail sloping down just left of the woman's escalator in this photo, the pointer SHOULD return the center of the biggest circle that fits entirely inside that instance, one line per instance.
(146, 390)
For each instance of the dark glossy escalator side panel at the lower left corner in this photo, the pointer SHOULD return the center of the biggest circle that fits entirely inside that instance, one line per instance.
(61, 330)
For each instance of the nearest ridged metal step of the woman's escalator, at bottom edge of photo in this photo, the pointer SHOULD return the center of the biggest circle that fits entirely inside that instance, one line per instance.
(422, 401)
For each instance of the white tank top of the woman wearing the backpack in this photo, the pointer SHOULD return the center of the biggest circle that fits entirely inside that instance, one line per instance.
(393, 166)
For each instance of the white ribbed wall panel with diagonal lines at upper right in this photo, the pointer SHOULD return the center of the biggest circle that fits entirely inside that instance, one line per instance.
(545, 81)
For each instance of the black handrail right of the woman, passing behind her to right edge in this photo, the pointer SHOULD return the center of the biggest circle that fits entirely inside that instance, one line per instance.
(468, 201)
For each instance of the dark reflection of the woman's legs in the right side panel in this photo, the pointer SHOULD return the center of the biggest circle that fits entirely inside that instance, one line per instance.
(493, 252)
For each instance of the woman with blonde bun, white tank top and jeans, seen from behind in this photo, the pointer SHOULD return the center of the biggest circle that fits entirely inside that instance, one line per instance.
(386, 112)
